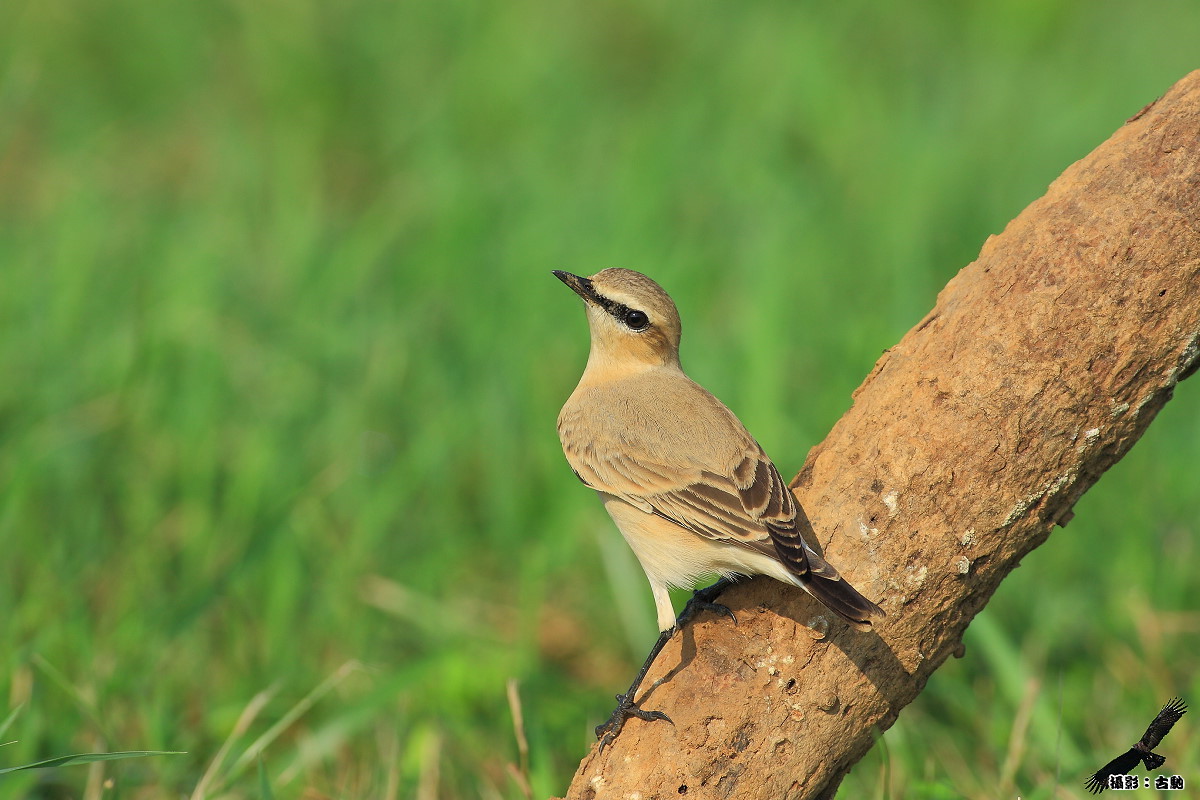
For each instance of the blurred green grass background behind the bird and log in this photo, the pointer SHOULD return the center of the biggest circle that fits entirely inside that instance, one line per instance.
(281, 359)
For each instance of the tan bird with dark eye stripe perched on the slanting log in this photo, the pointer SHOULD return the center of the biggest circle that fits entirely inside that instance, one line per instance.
(688, 488)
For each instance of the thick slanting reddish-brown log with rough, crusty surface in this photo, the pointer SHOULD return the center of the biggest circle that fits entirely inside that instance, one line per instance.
(1040, 366)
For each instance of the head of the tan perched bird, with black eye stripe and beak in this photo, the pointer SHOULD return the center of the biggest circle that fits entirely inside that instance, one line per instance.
(634, 322)
